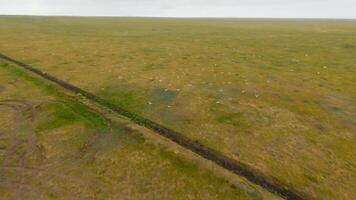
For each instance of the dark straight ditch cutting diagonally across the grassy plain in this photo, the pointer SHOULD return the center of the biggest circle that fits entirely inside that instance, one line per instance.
(267, 182)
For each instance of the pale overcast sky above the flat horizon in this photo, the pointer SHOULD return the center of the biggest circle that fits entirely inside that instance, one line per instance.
(184, 8)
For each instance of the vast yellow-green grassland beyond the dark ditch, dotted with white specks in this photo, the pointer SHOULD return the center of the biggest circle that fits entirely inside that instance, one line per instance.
(277, 95)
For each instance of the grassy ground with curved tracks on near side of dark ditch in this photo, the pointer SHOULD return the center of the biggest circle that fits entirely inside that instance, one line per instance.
(52, 147)
